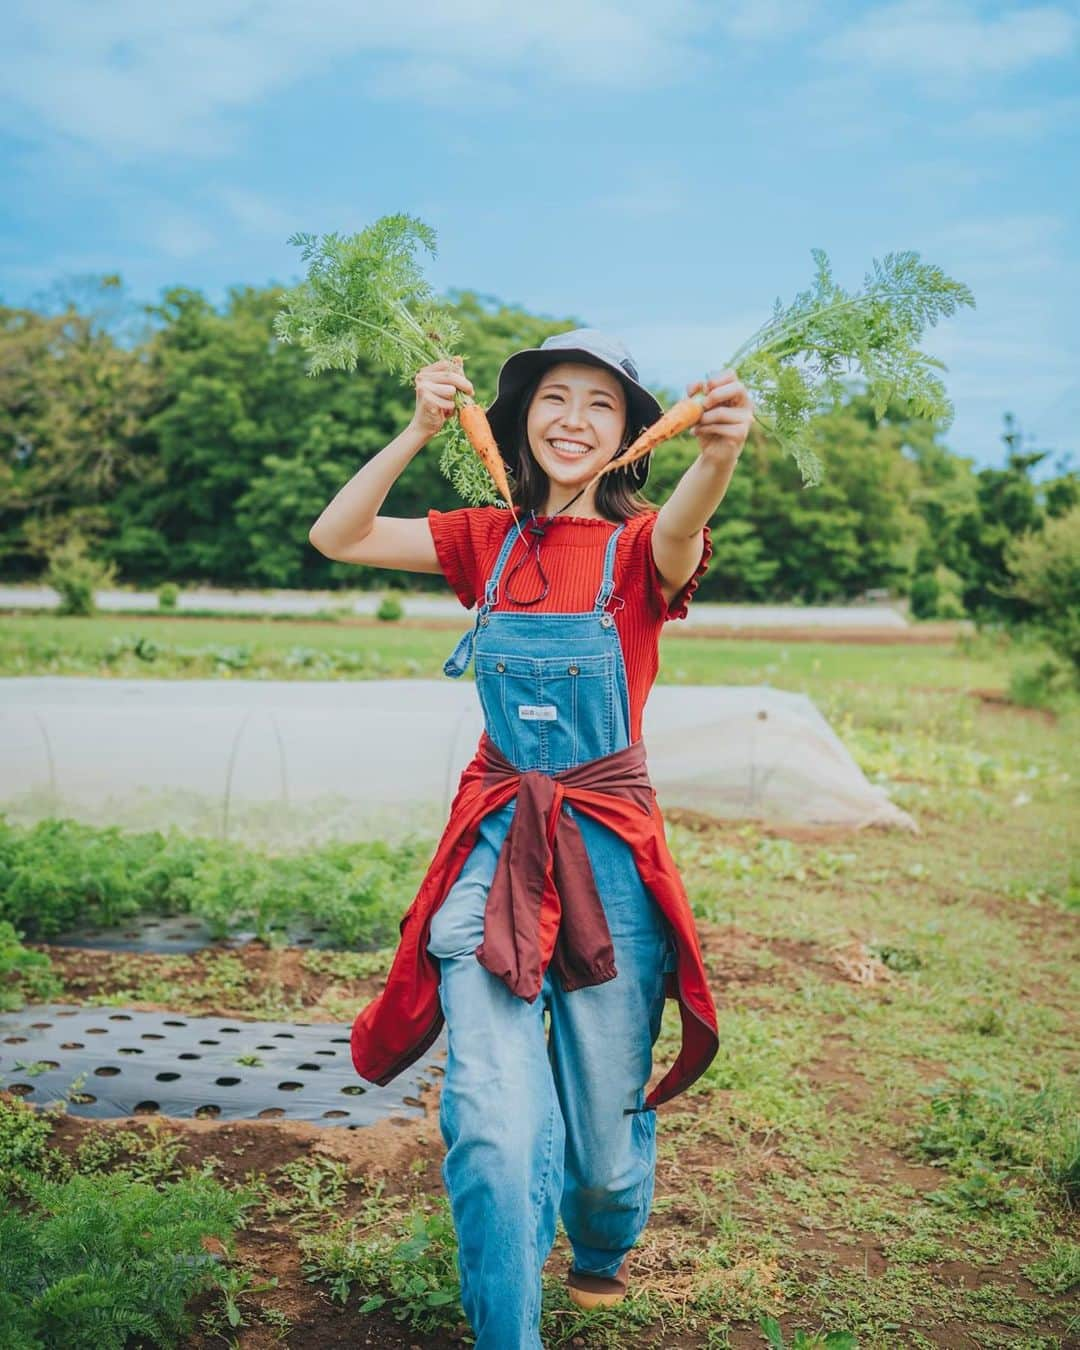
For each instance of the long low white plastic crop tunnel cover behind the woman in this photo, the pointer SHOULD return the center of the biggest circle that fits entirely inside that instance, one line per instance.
(294, 763)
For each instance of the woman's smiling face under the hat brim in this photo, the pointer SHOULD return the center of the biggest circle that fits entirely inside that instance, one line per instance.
(576, 422)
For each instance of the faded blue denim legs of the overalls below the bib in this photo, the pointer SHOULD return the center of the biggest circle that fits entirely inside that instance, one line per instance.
(538, 1128)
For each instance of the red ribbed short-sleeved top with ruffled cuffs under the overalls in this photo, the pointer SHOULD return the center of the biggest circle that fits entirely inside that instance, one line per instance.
(468, 543)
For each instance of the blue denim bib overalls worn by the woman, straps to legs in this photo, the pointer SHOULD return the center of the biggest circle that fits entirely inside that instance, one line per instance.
(538, 1129)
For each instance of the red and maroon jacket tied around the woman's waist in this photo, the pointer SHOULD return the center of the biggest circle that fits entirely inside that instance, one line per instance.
(542, 909)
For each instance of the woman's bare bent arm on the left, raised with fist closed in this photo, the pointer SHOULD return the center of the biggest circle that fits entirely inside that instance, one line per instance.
(350, 529)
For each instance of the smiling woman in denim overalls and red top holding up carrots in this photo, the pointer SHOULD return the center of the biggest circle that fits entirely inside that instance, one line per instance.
(553, 889)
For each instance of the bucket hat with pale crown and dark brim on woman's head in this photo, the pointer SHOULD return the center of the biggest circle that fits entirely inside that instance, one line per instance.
(591, 348)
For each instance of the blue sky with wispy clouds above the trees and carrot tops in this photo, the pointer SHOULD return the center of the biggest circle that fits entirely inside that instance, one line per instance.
(659, 171)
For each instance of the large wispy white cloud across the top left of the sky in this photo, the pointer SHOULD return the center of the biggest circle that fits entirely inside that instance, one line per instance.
(138, 80)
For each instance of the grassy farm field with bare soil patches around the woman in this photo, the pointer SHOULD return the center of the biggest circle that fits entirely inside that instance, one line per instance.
(888, 1141)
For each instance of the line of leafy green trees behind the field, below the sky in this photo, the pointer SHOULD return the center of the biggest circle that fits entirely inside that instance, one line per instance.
(198, 450)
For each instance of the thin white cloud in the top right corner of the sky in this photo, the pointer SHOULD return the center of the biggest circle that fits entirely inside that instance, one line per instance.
(952, 40)
